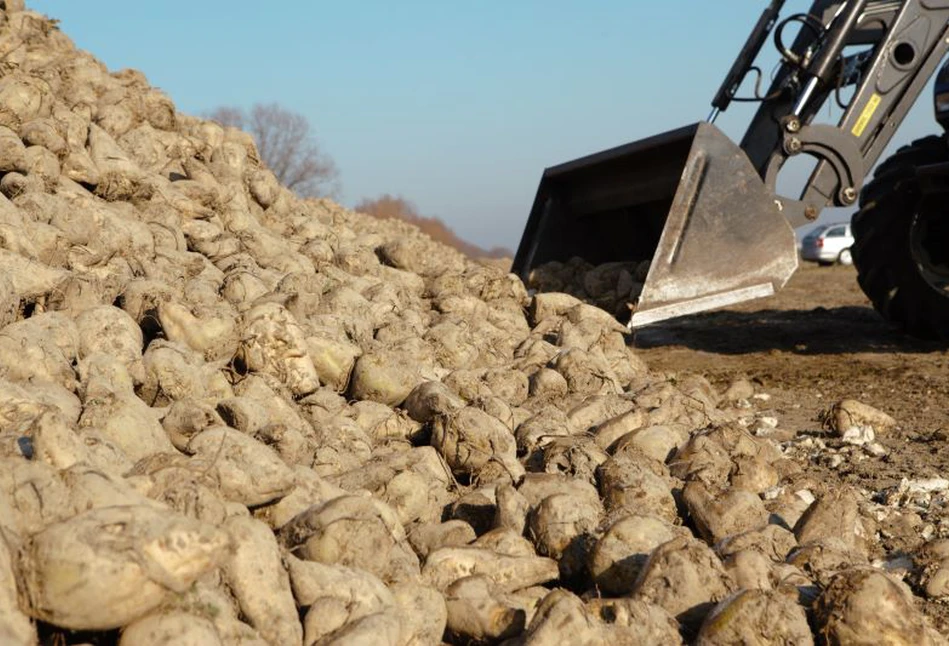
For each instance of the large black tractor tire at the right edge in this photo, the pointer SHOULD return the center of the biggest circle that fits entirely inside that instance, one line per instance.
(901, 248)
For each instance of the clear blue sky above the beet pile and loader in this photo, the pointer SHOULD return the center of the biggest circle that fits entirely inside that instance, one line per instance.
(457, 106)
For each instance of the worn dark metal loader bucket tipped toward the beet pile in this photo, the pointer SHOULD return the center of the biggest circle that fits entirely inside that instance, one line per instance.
(689, 201)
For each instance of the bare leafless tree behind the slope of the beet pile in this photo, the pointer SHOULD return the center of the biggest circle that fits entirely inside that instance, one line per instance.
(287, 147)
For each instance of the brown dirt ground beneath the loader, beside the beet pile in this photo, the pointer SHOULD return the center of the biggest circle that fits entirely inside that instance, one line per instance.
(816, 342)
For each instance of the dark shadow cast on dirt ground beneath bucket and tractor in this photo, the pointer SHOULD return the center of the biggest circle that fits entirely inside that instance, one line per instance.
(836, 330)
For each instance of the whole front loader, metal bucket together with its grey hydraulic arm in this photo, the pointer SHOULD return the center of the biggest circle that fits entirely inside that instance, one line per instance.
(698, 215)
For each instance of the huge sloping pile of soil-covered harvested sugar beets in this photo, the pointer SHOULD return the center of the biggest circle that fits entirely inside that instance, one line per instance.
(231, 416)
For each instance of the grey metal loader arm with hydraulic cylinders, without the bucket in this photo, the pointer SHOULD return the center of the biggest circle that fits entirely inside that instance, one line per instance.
(900, 46)
